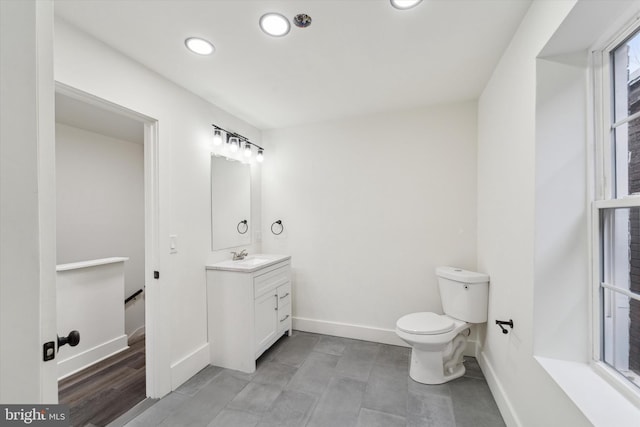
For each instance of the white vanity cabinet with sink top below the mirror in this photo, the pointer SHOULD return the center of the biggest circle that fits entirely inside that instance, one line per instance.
(249, 308)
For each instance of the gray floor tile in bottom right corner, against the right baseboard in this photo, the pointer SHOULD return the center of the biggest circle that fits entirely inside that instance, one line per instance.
(473, 404)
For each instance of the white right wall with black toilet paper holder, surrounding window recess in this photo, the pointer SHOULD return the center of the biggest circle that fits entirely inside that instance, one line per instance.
(506, 208)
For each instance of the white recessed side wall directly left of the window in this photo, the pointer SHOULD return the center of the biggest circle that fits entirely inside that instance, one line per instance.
(561, 224)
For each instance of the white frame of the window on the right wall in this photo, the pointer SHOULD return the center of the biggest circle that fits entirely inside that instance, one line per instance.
(603, 198)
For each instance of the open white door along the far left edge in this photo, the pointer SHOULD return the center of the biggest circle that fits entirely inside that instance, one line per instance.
(27, 202)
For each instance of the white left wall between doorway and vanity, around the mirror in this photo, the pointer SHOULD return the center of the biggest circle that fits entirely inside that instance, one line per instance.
(184, 129)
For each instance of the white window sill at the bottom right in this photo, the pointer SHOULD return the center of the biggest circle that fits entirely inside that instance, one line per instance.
(599, 401)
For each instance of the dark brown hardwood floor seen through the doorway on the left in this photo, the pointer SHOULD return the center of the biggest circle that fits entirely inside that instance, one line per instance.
(108, 389)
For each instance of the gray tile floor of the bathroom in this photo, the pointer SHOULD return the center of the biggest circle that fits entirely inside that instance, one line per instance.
(317, 380)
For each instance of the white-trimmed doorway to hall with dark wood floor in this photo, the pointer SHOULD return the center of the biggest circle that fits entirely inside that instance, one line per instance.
(106, 209)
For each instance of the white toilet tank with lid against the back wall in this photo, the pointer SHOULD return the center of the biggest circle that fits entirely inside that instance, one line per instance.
(464, 294)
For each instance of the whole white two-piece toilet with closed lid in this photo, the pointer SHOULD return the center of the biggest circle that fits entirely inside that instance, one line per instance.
(439, 340)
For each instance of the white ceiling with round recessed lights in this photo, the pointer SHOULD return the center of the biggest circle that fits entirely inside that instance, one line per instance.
(357, 57)
